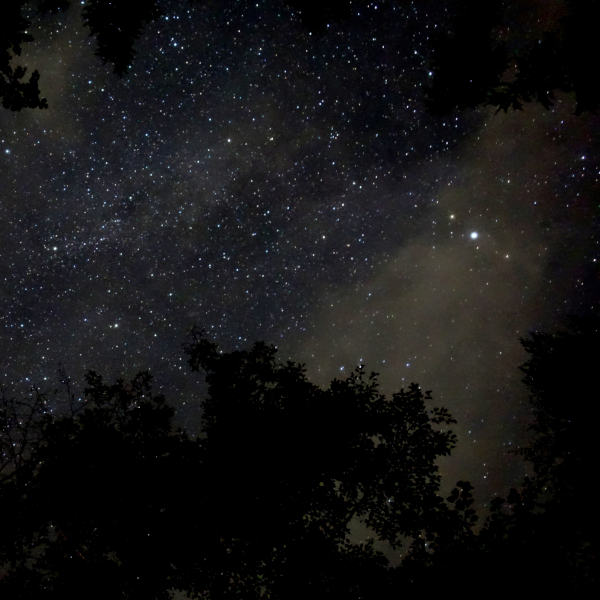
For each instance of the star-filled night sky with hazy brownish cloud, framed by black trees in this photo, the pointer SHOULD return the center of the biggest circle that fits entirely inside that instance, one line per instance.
(267, 183)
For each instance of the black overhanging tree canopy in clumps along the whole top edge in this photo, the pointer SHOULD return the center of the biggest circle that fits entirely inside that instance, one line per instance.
(478, 61)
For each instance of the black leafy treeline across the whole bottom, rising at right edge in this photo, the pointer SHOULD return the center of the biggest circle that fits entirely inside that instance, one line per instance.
(109, 500)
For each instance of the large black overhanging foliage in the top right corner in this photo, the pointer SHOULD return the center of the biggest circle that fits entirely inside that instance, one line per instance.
(472, 66)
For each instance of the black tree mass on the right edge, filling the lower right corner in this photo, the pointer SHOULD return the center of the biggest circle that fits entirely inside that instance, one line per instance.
(543, 539)
